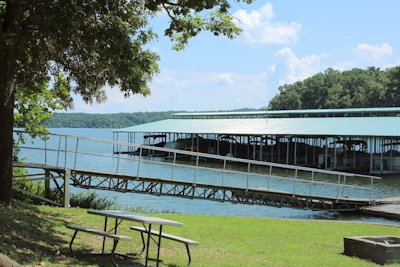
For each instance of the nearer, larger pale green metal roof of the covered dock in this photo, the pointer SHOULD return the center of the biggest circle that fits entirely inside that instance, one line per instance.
(326, 126)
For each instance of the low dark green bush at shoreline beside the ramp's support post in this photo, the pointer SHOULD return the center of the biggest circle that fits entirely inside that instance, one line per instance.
(91, 200)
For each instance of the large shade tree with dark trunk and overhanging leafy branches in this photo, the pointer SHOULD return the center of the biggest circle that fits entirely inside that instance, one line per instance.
(92, 43)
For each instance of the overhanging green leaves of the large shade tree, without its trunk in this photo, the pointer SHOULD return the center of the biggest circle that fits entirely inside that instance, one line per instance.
(82, 46)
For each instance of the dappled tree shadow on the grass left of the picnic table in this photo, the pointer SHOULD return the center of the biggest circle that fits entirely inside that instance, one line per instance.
(27, 236)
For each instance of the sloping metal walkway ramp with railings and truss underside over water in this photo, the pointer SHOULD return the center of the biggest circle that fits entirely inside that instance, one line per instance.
(90, 163)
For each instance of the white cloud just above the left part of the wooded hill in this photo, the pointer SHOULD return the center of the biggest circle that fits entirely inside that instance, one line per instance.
(298, 68)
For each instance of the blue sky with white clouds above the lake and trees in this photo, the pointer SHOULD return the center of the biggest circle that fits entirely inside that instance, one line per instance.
(282, 42)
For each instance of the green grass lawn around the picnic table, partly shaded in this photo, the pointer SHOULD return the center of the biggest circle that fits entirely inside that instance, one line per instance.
(34, 234)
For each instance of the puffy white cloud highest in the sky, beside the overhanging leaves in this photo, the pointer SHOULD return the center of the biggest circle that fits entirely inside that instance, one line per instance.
(259, 29)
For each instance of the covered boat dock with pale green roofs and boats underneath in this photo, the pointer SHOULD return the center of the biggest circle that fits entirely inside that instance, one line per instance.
(364, 140)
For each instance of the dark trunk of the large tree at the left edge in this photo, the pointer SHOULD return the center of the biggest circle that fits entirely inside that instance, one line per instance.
(9, 37)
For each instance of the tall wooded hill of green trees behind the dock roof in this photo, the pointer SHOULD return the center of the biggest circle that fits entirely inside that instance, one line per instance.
(355, 88)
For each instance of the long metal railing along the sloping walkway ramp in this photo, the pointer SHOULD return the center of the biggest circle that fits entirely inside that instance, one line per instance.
(67, 151)
